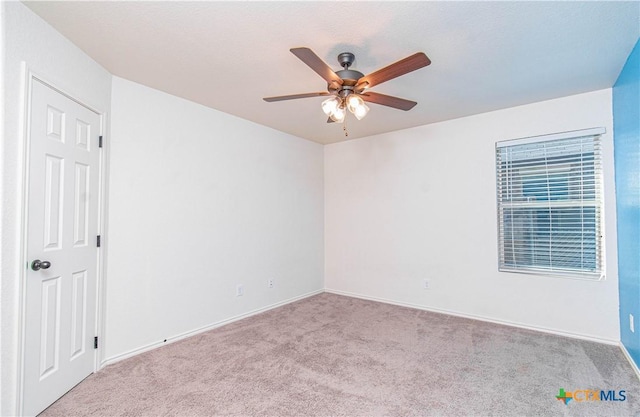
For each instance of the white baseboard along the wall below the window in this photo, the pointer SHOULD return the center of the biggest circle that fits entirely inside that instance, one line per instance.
(480, 318)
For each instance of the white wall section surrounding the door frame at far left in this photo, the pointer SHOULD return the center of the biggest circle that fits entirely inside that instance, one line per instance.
(28, 38)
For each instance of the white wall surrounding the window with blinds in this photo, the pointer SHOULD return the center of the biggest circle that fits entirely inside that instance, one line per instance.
(421, 204)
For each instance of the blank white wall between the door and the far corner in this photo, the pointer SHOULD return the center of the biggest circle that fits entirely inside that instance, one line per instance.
(201, 201)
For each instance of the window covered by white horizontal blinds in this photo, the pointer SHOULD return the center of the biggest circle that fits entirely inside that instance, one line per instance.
(549, 191)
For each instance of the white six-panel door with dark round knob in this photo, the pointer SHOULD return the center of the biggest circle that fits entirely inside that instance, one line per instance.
(61, 282)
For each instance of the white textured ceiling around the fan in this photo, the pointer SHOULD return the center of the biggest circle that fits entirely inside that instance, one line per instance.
(228, 55)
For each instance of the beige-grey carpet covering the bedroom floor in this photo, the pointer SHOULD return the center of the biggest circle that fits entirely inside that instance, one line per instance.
(330, 355)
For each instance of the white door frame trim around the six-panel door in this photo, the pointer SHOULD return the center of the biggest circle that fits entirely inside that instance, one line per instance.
(29, 77)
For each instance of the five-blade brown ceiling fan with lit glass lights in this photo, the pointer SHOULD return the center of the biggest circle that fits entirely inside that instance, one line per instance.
(348, 89)
